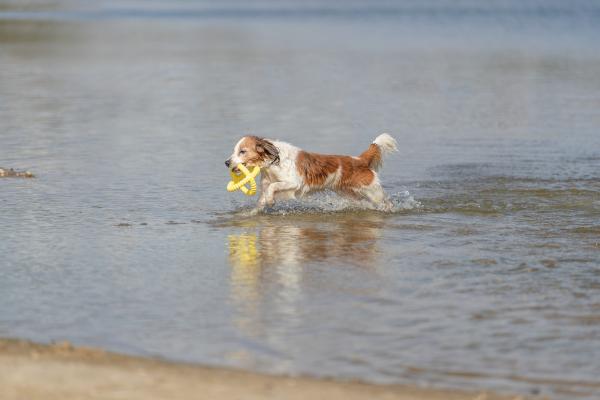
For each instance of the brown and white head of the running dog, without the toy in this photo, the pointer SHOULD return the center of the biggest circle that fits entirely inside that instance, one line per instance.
(253, 151)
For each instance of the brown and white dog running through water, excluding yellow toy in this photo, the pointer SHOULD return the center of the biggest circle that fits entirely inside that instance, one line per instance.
(289, 172)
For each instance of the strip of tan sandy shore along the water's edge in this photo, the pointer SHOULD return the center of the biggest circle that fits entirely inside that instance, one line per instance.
(62, 371)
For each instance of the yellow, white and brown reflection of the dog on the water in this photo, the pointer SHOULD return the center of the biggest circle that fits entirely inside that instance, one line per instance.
(269, 261)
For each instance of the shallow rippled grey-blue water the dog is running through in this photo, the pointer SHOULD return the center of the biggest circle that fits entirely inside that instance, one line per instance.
(486, 276)
